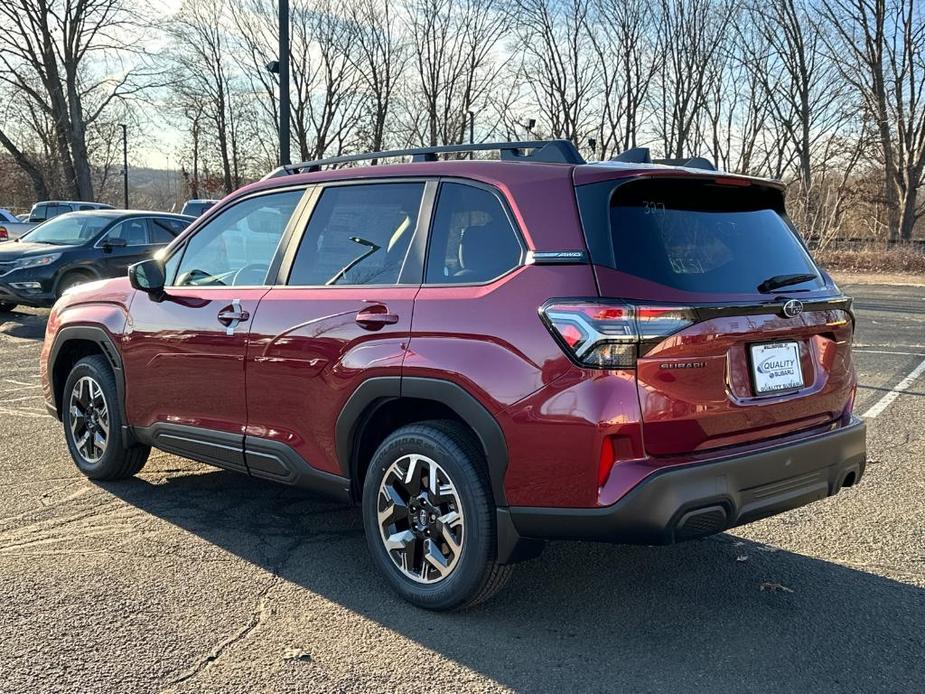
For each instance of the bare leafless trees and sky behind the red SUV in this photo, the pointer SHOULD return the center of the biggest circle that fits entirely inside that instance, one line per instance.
(827, 95)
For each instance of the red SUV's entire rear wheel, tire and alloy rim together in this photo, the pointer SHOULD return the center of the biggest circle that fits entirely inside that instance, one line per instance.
(430, 519)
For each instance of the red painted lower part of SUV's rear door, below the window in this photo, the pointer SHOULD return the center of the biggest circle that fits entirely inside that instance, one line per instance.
(308, 353)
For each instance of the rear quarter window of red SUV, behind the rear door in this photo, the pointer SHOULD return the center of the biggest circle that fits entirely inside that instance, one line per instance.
(471, 238)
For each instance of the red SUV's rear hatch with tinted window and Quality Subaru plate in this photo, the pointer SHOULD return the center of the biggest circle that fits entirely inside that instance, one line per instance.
(738, 336)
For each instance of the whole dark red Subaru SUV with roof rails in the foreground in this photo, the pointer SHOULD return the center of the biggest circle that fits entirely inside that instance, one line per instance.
(483, 354)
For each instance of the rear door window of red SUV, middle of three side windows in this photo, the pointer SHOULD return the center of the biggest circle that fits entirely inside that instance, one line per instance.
(358, 234)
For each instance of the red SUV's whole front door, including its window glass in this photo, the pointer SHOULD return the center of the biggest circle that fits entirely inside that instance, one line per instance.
(185, 354)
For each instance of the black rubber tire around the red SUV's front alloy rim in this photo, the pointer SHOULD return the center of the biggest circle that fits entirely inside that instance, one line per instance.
(117, 461)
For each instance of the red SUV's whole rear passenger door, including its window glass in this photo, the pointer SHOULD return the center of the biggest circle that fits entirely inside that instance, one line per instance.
(312, 345)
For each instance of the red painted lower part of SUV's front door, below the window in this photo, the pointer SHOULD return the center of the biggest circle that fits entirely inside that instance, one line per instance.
(181, 365)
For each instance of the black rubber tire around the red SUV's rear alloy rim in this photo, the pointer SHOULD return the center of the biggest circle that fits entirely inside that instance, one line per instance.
(476, 575)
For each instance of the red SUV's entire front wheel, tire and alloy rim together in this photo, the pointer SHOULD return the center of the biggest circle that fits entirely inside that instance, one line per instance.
(93, 423)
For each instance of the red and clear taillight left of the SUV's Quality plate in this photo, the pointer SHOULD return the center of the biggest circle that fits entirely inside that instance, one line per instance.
(610, 335)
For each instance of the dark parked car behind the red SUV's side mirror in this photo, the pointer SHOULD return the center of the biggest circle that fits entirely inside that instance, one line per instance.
(79, 247)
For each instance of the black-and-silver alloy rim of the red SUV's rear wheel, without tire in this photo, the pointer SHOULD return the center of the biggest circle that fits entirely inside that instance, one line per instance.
(420, 518)
